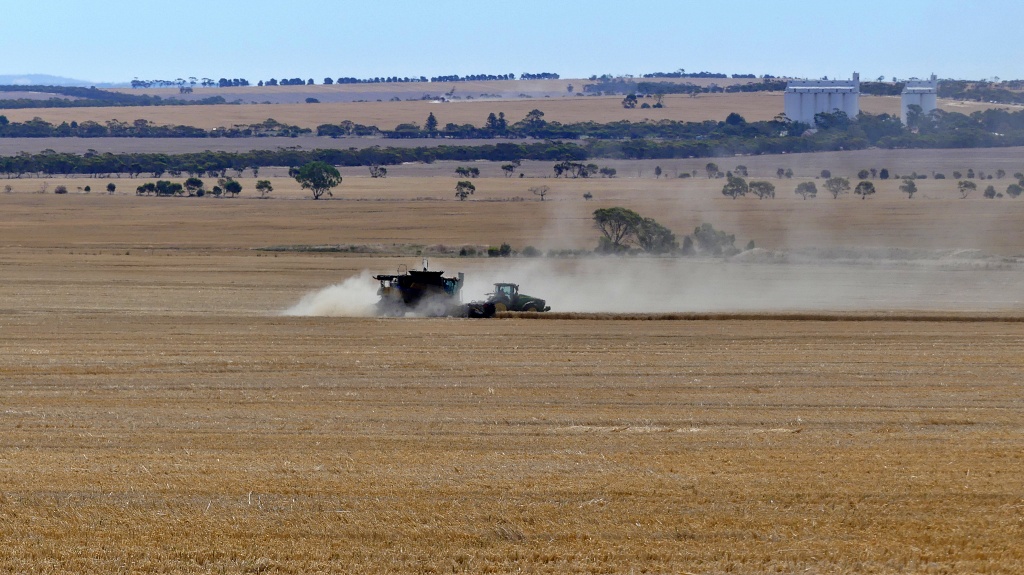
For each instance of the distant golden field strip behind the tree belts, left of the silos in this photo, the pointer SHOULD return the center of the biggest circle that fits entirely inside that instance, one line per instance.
(388, 115)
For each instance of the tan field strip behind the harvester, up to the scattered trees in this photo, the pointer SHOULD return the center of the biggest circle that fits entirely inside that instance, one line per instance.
(418, 209)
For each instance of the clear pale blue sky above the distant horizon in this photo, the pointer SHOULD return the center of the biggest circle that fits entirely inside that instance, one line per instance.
(118, 40)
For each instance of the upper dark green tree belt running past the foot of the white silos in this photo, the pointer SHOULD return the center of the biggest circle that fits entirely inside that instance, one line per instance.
(661, 140)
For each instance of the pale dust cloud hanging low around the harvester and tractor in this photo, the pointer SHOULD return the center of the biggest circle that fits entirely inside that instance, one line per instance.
(754, 282)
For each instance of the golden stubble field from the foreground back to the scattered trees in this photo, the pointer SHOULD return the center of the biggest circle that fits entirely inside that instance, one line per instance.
(159, 415)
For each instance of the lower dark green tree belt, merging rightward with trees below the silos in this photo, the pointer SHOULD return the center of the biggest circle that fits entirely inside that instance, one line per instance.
(666, 140)
